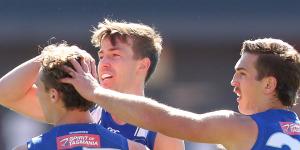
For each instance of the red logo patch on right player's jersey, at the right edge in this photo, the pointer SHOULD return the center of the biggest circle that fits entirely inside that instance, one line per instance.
(290, 128)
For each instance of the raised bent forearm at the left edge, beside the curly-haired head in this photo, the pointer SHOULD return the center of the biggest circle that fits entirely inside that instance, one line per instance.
(16, 83)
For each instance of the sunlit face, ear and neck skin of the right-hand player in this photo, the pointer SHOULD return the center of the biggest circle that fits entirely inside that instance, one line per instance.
(253, 94)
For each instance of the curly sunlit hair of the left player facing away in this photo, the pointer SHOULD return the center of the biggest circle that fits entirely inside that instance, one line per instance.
(54, 57)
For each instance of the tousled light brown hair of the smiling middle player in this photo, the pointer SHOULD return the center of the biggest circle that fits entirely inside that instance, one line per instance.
(146, 41)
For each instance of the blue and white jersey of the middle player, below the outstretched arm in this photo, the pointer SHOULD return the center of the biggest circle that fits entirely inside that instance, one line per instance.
(129, 131)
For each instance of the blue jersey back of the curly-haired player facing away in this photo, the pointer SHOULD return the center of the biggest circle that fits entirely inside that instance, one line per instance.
(78, 137)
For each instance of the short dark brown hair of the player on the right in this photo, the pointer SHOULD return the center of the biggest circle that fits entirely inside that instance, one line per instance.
(280, 60)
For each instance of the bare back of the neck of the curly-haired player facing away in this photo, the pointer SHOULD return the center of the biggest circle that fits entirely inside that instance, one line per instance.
(74, 117)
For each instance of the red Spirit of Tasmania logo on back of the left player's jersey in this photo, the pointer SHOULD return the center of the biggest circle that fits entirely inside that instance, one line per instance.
(78, 140)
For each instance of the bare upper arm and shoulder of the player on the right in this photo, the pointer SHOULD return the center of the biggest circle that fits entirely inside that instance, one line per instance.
(217, 126)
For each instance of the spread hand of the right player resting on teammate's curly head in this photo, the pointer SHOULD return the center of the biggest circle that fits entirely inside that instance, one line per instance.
(82, 79)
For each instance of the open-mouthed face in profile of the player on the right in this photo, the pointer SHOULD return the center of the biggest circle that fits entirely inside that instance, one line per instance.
(248, 89)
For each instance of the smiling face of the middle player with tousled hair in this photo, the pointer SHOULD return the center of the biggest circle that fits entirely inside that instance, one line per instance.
(117, 67)
